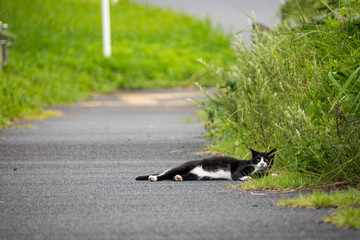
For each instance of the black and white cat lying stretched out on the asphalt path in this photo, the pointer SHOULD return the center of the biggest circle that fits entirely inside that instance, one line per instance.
(218, 168)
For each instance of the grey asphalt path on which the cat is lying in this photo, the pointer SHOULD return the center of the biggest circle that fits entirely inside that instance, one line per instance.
(73, 177)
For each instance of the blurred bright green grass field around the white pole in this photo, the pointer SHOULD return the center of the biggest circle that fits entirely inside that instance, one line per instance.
(57, 57)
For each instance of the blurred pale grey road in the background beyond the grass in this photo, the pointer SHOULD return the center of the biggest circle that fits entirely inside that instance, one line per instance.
(226, 13)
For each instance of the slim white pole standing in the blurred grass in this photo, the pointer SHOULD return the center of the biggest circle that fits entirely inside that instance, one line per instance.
(105, 15)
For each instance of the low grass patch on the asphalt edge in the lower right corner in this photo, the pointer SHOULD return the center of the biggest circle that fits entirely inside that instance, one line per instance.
(349, 202)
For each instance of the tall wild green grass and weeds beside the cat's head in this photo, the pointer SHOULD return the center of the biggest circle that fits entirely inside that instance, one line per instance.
(297, 90)
